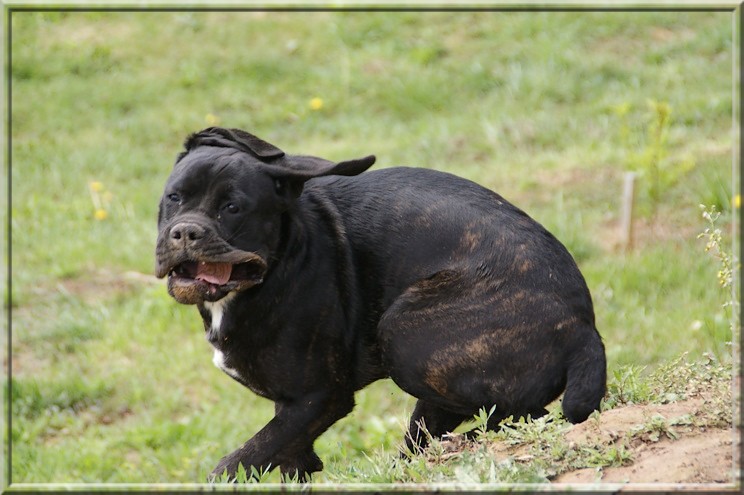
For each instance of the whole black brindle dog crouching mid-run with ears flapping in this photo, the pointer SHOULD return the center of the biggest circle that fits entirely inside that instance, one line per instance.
(314, 281)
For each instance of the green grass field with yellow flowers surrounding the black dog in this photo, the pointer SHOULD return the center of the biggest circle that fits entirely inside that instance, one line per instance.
(112, 381)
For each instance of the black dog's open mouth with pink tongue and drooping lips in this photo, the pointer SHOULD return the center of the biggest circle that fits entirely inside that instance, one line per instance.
(191, 282)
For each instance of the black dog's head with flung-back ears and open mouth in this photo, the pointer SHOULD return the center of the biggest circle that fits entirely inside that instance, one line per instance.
(220, 216)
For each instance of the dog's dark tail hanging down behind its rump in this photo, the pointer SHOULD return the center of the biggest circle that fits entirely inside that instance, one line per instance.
(586, 381)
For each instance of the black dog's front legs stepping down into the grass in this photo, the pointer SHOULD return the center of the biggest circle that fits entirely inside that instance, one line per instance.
(288, 438)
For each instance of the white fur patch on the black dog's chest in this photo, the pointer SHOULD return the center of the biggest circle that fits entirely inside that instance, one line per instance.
(234, 366)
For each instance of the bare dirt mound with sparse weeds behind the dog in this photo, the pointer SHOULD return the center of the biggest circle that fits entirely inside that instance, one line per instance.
(686, 442)
